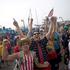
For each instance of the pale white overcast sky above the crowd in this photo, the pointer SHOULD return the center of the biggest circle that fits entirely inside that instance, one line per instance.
(19, 9)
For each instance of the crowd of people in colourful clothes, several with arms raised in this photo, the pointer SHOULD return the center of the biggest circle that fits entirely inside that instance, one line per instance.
(32, 51)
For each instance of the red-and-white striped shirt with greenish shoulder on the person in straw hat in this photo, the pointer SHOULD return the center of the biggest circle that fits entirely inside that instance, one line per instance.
(26, 62)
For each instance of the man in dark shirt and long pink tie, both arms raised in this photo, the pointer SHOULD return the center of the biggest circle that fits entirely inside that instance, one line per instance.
(39, 46)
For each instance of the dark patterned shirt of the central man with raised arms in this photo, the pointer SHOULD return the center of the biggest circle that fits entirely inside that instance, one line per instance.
(40, 46)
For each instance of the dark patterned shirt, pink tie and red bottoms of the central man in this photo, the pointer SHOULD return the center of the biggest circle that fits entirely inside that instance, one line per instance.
(41, 52)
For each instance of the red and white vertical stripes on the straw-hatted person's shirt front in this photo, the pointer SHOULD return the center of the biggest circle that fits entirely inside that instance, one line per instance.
(27, 63)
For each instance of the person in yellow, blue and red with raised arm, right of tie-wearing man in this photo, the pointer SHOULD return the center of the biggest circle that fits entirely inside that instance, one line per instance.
(53, 46)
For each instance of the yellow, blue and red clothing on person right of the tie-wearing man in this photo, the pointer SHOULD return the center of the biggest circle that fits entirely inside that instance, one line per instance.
(53, 44)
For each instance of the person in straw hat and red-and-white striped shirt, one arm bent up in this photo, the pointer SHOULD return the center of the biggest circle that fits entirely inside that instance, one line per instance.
(25, 57)
